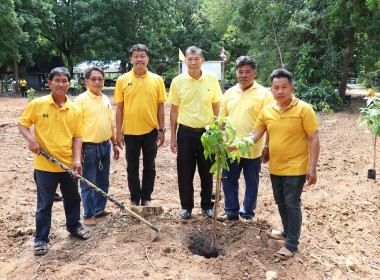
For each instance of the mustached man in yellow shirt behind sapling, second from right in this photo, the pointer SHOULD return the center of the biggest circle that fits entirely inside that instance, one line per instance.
(242, 104)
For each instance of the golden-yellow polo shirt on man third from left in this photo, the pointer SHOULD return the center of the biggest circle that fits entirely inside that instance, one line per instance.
(140, 96)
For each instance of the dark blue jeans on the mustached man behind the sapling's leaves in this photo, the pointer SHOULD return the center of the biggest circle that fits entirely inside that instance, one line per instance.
(230, 179)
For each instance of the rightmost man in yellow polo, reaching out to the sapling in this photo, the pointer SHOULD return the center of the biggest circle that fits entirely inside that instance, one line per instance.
(292, 127)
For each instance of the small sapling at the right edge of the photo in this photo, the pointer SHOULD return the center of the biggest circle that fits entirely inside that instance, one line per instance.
(370, 116)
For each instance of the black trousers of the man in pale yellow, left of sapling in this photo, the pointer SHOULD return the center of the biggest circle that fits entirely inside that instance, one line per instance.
(191, 154)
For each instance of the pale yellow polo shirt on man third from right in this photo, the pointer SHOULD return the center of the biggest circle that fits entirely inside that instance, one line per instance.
(195, 98)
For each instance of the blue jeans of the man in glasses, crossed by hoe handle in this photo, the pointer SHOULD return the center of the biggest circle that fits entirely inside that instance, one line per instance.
(96, 169)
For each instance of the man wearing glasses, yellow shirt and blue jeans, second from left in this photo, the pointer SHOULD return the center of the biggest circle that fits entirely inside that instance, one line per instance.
(98, 136)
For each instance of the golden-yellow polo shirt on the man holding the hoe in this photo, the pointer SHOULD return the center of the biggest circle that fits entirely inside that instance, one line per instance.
(54, 129)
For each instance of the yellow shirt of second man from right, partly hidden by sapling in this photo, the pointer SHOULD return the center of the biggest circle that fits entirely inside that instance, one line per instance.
(243, 110)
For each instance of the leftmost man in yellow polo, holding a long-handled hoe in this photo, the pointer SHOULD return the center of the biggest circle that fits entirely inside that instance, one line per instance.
(58, 131)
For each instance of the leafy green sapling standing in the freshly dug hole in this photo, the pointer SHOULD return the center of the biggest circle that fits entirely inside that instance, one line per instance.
(216, 140)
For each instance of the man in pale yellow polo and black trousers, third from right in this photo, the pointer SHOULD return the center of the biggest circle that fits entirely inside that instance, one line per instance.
(193, 95)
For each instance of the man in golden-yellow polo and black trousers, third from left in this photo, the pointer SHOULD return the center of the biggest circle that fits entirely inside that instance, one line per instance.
(140, 96)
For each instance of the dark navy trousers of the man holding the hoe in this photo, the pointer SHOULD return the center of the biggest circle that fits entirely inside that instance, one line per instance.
(47, 183)
